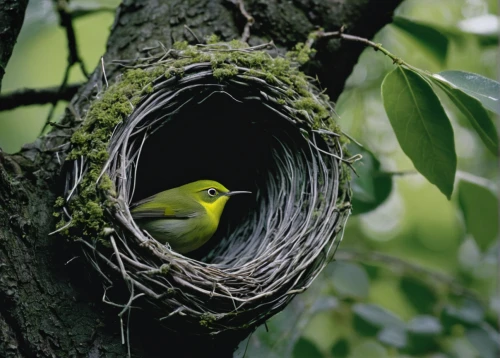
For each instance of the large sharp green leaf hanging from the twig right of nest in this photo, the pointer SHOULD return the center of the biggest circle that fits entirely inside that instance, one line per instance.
(421, 126)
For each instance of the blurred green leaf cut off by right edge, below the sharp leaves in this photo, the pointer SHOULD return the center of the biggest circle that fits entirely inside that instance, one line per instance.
(479, 205)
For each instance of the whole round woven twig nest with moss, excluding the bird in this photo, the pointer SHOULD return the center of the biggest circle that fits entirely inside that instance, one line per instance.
(225, 112)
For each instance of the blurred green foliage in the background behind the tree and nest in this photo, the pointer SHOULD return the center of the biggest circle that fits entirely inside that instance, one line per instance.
(416, 275)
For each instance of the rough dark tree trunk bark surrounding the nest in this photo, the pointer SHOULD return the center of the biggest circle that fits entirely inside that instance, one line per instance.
(50, 306)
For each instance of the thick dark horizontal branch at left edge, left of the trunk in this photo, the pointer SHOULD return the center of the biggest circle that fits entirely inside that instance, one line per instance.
(31, 96)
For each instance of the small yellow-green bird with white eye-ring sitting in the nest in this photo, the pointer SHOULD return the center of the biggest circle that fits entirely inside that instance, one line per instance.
(187, 216)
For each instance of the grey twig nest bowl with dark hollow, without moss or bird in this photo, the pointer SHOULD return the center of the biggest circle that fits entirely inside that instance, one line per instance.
(244, 133)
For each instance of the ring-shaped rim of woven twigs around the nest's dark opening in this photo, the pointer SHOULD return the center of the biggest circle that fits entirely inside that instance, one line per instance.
(174, 272)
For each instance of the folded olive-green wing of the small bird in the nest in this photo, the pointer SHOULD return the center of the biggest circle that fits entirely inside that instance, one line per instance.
(155, 207)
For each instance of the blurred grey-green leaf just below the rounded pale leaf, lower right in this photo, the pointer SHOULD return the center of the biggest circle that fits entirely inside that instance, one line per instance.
(370, 319)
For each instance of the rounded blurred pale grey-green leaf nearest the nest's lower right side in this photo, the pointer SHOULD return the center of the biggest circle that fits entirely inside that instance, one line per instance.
(350, 280)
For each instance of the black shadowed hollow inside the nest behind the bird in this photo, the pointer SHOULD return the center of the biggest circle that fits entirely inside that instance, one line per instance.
(236, 144)
